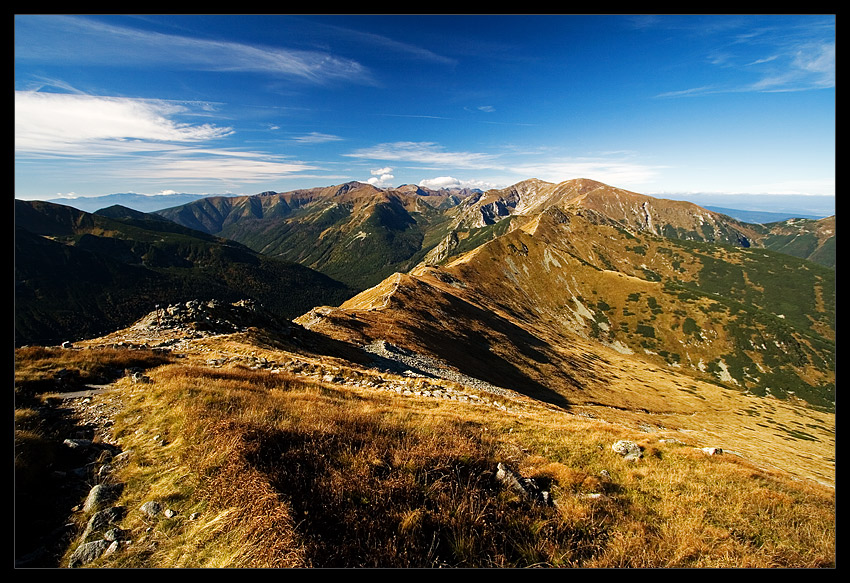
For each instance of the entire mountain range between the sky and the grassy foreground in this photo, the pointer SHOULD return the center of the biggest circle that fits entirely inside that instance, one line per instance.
(536, 286)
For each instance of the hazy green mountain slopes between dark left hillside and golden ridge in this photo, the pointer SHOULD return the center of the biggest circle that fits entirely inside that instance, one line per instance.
(355, 233)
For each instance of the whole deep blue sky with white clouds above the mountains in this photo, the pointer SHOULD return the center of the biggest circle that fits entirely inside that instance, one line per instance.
(659, 105)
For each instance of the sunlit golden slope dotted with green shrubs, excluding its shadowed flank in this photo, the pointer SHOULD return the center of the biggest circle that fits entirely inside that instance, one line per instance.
(753, 319)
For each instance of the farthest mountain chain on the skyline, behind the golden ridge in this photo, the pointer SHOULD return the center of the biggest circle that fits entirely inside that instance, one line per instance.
(360, 234)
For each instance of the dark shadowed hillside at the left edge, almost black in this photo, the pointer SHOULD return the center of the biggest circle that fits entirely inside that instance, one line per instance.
(78, 274)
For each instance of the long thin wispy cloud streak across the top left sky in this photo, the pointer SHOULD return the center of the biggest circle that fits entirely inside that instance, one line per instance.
(56, 37)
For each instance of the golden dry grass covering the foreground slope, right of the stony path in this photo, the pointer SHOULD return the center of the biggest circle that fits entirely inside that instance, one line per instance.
(291, 472)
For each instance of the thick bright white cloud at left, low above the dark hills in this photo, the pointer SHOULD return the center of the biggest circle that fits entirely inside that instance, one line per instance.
(137, 140)
